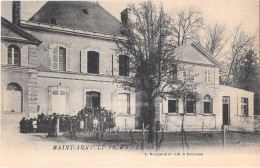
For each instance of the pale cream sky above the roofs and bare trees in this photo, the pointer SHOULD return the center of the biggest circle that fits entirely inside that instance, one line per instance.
(226, 12)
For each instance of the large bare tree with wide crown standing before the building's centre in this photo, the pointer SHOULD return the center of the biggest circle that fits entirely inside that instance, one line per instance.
(154, 67)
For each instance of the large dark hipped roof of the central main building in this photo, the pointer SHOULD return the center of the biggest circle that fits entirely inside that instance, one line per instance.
(84, 15)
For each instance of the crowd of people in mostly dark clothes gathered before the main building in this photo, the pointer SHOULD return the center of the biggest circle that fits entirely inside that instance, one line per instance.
(87, 120)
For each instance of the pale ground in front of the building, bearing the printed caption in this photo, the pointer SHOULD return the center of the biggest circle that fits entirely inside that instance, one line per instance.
(37, 150)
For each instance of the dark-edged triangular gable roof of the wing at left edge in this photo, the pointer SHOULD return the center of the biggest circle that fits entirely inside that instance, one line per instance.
(15, 33)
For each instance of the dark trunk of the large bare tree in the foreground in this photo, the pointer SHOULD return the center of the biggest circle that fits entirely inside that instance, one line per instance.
(151, 120)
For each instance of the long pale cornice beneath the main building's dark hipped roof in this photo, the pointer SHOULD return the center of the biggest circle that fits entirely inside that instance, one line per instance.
(67, 30)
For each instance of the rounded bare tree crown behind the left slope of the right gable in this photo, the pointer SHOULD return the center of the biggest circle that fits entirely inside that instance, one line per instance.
(186, 25)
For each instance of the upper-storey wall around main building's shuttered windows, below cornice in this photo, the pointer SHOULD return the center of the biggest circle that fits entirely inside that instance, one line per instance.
(77, 43)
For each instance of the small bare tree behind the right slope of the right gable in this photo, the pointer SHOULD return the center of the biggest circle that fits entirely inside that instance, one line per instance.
(215, 39)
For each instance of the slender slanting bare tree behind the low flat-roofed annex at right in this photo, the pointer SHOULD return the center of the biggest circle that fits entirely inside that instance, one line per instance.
(240, 44)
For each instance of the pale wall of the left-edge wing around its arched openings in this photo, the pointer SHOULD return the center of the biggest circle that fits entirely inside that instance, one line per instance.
(24, 75)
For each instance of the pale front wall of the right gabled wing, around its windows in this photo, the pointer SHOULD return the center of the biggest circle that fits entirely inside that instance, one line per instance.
(198, 120)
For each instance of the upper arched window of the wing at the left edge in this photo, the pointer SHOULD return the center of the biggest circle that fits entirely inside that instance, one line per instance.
(14, 55)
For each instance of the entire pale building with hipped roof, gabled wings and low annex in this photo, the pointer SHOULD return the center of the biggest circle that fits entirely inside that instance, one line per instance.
(60, 61)
